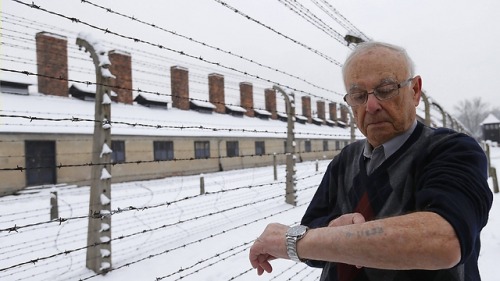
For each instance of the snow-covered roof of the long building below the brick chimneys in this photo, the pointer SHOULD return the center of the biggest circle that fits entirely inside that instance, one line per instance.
(149, 121)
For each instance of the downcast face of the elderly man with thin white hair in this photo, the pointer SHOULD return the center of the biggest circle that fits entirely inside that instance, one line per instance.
(378, 120)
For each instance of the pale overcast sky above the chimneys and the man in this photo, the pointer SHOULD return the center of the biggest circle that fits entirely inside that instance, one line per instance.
(454, 44)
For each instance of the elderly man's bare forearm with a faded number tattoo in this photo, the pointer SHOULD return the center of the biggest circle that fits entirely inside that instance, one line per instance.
(422, 240)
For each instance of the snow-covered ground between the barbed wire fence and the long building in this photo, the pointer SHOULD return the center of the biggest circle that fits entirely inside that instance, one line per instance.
(166, 230)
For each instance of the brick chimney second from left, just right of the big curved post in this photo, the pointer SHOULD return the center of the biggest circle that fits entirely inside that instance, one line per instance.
(121, 68)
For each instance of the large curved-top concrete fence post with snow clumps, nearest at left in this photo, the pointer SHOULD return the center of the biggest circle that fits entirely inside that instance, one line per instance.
(99, 227)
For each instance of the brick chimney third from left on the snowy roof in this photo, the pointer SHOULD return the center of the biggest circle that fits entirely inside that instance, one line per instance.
(179, 83)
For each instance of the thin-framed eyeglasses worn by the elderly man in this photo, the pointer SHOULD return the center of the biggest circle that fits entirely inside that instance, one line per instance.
(382, 92)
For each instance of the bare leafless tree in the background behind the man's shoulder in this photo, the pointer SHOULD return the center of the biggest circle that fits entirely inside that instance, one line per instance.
(471, 113)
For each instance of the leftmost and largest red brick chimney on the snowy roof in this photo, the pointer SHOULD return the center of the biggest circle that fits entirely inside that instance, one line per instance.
(52, 60)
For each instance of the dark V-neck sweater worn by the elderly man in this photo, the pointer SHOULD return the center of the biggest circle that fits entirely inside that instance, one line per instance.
(437, 170)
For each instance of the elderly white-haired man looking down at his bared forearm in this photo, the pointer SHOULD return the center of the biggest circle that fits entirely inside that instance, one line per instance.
(406, 203)
